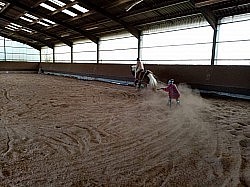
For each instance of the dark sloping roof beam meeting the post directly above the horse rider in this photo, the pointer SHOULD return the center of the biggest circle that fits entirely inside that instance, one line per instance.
(90, 5)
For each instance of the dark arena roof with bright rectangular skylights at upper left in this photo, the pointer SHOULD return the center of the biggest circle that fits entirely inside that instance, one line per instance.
(103, 16)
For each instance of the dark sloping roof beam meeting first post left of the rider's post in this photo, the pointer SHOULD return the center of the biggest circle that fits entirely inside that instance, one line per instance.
(59, 22)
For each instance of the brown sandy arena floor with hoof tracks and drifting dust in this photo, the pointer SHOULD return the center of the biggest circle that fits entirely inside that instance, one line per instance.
(57, 131)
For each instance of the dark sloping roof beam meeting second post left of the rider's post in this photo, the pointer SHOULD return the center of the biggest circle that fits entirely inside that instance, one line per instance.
(69, 43)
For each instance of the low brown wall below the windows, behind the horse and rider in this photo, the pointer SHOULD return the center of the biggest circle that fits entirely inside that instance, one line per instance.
(229, 79)
